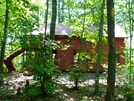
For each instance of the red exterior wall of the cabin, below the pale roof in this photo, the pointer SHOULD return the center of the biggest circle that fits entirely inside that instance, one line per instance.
(66, 57)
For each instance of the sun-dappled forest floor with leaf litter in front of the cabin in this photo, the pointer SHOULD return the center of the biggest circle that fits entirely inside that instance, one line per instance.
(64, 92)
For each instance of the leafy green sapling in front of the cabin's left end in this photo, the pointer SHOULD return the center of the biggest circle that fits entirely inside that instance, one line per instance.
(42, 68)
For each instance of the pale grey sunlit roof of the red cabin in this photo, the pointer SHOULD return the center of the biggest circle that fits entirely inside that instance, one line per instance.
(62, 29)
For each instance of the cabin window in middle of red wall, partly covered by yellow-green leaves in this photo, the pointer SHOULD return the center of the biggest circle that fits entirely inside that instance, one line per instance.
(82, 56)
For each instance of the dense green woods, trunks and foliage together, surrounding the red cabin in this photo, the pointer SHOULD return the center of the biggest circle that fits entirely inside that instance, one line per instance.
(18, 19)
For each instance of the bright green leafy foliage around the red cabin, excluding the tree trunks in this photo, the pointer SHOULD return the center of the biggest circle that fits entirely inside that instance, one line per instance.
(25, 16)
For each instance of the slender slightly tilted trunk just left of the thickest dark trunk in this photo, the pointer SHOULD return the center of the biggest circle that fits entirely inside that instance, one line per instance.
(99, 49)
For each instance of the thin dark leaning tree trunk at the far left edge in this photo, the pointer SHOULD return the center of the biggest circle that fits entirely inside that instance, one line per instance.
(4, 39)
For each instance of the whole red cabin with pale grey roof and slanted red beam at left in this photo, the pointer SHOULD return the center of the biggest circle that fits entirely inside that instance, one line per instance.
(67, 56)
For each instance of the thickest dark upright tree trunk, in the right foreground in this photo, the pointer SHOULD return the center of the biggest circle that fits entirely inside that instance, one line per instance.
(111, 56)
